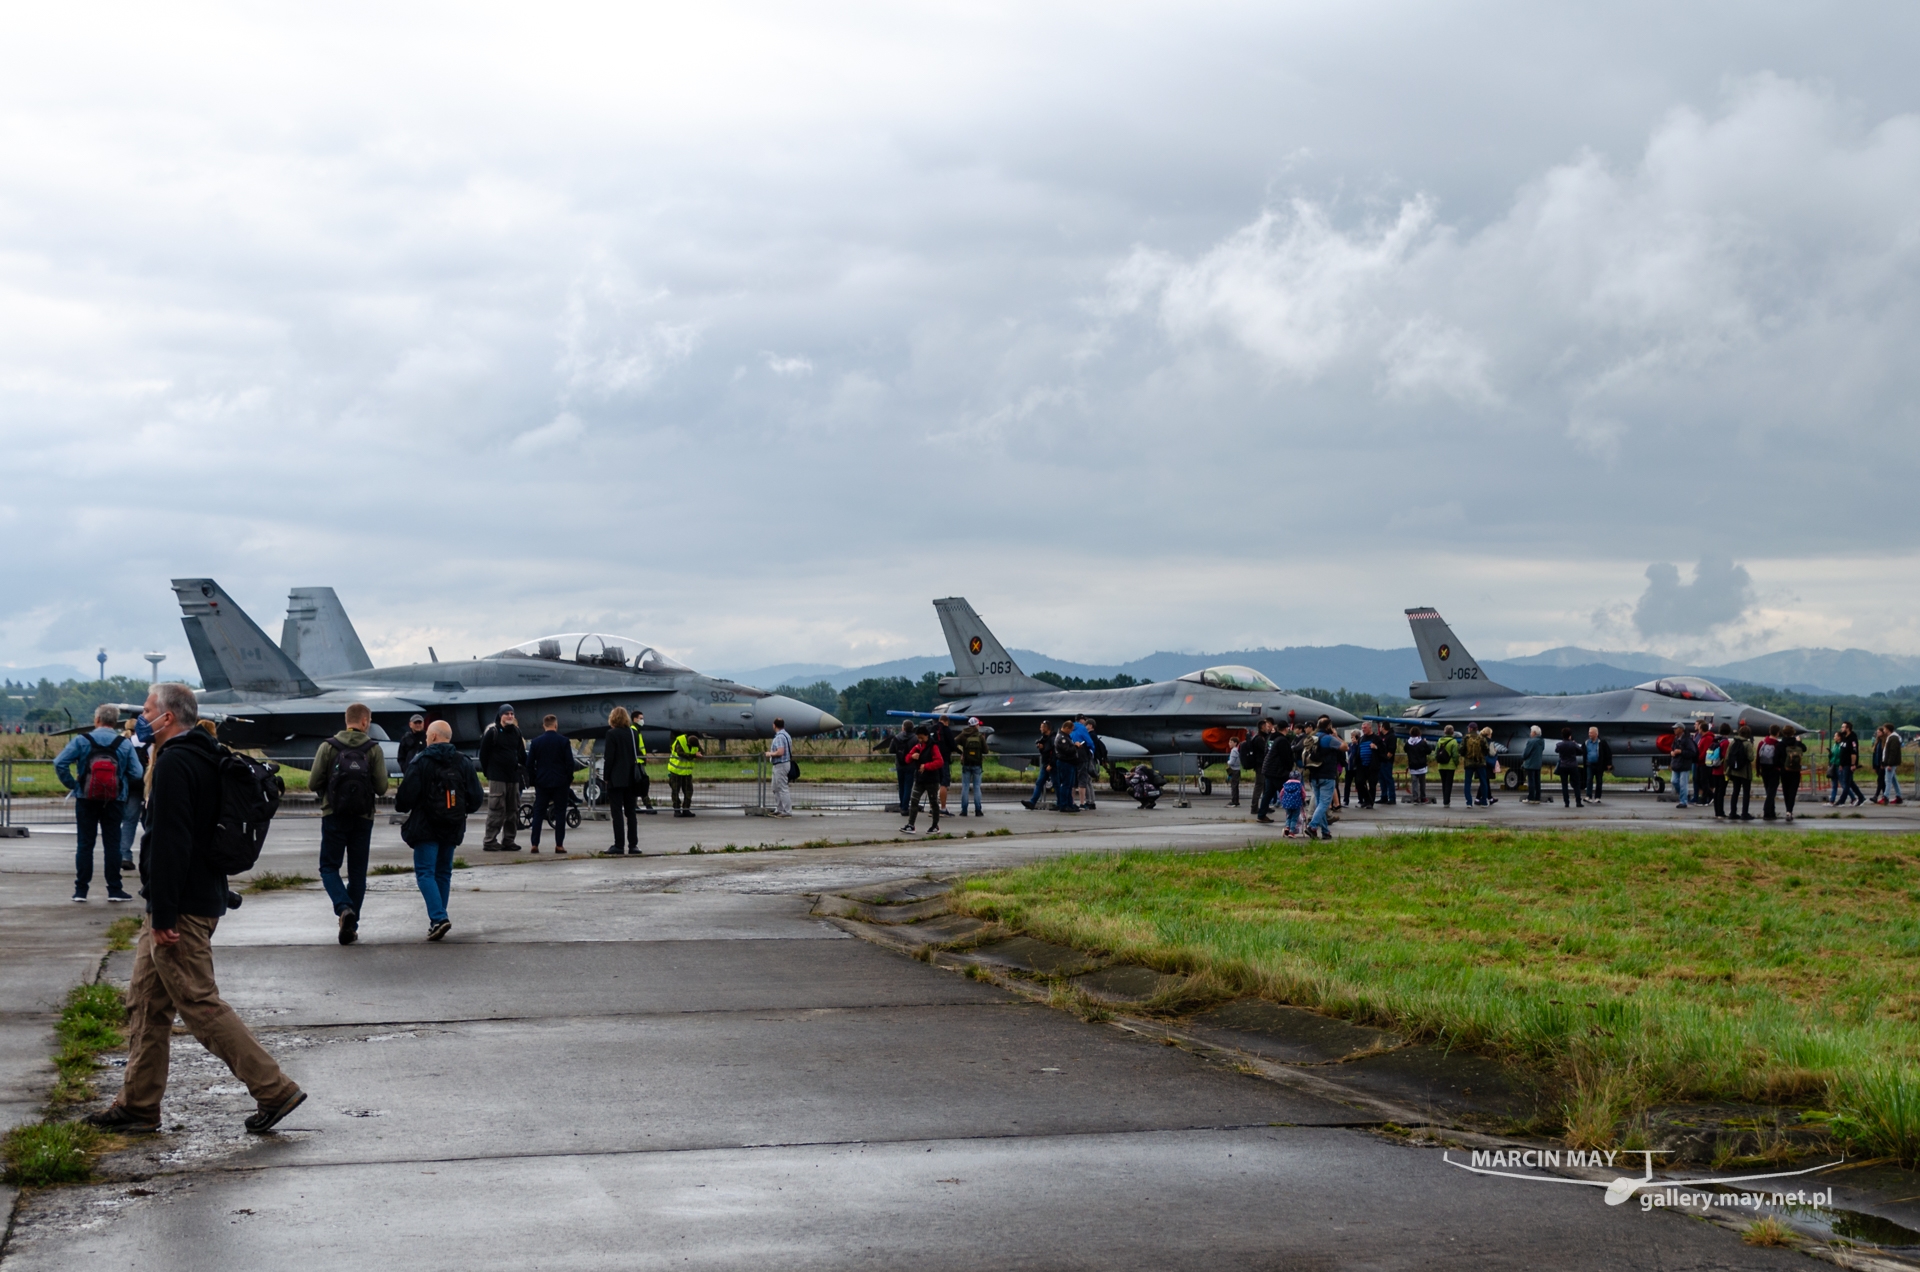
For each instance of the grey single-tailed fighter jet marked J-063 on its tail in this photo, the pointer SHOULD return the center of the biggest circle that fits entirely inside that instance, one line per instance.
(1189, 722)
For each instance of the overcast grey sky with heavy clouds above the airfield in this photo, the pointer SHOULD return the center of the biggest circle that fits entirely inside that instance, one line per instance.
(752, 330)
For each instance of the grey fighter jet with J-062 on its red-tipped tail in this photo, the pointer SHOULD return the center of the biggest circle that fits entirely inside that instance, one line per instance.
(1637, 723)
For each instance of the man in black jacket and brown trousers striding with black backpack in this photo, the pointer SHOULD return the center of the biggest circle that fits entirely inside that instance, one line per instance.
(185, 900)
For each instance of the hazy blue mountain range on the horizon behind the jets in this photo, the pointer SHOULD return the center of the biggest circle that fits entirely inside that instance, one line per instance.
(1568, 670)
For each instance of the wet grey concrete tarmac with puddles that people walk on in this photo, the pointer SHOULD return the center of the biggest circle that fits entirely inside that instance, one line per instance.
(621, 1064)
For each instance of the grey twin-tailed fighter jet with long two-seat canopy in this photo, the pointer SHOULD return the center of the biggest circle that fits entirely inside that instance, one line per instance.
(262, 698)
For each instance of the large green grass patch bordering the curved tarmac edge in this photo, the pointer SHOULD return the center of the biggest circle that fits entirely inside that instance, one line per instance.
(1627, 967)
